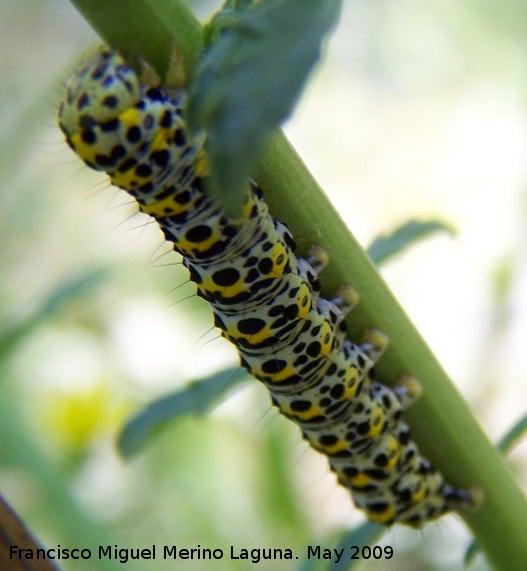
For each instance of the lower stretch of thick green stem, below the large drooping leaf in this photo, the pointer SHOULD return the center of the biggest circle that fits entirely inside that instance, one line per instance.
(441, 421)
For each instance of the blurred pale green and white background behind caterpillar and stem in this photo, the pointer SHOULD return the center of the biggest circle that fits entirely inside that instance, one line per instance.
(415, 112)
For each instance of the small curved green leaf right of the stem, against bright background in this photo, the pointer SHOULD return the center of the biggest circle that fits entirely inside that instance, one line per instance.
(387, 246)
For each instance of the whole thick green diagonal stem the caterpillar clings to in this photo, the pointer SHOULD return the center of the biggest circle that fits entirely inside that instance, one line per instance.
(441, 422)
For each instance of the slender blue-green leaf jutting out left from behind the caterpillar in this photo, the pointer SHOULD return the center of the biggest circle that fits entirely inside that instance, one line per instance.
(195, 399)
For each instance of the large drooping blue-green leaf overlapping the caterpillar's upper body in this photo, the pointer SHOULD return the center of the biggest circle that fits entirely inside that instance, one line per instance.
(249, 80)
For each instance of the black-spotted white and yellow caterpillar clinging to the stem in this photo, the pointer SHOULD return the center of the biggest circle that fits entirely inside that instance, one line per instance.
(265, 299)
